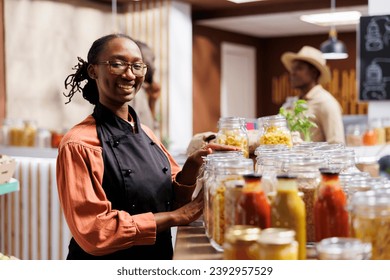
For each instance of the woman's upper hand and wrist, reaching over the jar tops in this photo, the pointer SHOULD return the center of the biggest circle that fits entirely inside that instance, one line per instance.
(190, 169)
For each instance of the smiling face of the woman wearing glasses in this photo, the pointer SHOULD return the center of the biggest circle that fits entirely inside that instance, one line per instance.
(117, 89)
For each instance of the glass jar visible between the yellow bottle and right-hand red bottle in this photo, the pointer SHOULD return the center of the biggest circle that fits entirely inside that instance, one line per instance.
(306, 169)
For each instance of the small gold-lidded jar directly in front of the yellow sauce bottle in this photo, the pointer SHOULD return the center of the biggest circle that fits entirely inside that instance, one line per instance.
(277, 244)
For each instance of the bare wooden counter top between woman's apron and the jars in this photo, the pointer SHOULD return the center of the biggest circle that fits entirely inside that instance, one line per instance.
(192, 244)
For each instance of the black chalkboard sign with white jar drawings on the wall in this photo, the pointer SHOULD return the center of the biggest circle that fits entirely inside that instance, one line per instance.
(374, 47)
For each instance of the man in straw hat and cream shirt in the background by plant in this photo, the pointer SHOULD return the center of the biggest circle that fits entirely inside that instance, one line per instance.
(308, 72)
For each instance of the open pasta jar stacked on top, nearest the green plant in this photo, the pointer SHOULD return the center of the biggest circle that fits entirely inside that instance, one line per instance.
(275, 131)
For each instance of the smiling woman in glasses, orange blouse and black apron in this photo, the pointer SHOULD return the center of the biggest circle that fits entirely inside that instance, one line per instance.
(120, 189)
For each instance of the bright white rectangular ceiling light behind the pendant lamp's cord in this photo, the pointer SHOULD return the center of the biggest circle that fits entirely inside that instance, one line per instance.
(336, 18)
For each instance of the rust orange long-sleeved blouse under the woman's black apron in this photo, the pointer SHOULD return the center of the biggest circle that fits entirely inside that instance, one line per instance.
(96, 227)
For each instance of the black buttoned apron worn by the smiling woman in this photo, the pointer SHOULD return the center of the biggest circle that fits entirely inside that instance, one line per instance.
(137, 179)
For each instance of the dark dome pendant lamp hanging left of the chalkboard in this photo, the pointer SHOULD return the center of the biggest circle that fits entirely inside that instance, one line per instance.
(333, 48)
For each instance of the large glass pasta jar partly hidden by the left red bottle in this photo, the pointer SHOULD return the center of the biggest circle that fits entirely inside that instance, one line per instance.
(229, 170)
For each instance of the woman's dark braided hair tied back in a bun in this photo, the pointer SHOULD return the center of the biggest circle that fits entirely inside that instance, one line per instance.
(76, 81)
